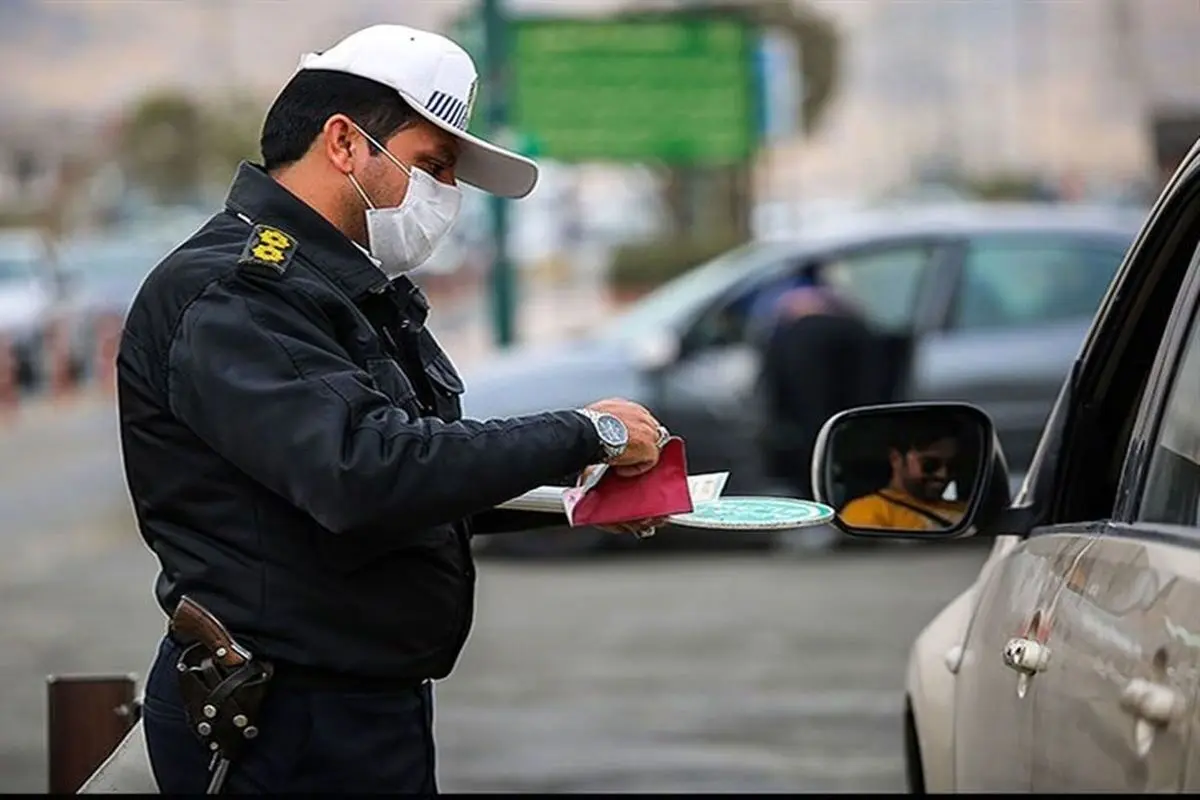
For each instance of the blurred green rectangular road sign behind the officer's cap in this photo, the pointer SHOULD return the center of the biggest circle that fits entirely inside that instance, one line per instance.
(676, 89)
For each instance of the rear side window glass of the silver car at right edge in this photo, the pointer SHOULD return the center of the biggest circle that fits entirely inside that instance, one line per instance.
(1172, 490)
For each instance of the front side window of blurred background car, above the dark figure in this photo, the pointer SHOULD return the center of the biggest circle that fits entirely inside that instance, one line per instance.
(884, 281)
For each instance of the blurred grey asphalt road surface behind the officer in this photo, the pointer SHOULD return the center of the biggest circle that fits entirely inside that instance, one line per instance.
(669, 672)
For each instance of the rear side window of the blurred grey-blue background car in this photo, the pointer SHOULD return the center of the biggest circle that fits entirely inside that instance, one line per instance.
(1021, 282)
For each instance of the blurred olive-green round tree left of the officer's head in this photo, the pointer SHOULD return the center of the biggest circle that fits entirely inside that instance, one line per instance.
(161, 147)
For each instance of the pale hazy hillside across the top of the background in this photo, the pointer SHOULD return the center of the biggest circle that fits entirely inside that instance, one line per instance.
(1053, 86)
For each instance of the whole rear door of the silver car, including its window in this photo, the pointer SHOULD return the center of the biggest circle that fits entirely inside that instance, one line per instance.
(1117, 713)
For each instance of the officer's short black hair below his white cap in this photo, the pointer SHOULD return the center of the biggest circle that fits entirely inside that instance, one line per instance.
(313, 97)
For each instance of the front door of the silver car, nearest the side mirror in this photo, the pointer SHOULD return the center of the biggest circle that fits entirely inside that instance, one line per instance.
(1033, 665)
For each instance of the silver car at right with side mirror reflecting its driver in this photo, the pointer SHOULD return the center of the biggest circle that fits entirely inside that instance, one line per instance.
(1073, 663)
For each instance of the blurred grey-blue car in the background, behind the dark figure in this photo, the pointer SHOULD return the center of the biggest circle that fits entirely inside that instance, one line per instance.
(994, 300)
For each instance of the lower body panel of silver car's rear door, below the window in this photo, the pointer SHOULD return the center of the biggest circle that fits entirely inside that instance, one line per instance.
(1112, 708)
